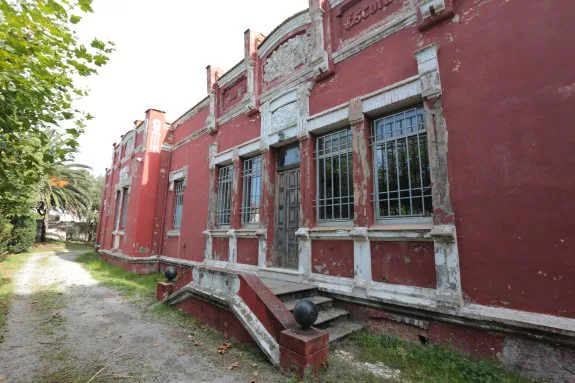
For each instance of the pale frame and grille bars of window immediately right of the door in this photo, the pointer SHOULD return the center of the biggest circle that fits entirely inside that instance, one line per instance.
(350, 194)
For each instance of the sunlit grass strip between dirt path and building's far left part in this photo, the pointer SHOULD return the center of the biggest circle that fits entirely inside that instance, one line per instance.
(131, 285)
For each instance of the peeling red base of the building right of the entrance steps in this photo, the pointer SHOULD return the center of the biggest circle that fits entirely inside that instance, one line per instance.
(531, 356)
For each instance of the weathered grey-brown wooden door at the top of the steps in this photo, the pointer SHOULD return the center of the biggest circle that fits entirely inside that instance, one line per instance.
(287, 221)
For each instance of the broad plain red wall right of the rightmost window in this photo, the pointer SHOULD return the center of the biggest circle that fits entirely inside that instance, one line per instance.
(509, 88)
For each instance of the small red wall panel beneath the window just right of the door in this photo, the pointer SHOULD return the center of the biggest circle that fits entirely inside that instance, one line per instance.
(333, 258)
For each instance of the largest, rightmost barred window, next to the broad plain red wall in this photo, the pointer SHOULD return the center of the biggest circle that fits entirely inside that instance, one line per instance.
(403, 184)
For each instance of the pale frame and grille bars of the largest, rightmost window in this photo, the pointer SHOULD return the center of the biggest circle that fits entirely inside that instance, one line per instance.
(376, 143)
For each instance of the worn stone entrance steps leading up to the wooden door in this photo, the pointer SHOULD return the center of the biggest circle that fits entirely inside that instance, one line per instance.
(333, 320)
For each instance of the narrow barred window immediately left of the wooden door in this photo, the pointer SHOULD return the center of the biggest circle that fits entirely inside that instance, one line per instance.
(252, 185)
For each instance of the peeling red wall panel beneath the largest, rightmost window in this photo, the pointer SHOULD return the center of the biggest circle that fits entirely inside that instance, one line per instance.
(403, 263)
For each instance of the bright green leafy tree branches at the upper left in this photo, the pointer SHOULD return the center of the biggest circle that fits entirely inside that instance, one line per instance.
(41, 60)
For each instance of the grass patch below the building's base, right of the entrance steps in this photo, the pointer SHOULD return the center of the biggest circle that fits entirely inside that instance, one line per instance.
(430, 363)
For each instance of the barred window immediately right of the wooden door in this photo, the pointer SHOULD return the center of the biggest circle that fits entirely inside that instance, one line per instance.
(334, 176)
